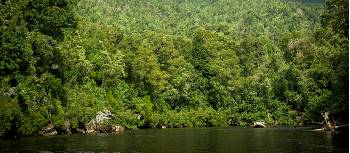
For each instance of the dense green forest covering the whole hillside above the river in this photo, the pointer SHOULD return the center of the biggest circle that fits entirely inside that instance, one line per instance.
(174, 63)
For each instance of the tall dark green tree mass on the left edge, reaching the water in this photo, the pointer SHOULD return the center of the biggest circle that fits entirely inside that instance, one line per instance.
(30, 32)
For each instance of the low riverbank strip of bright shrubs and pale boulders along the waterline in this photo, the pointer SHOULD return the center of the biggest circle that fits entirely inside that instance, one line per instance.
(115, 122)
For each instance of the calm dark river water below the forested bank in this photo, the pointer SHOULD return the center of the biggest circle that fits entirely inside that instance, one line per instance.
(233, 139)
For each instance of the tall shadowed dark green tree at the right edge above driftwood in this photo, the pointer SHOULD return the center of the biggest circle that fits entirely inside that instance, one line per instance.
(329, 69)
